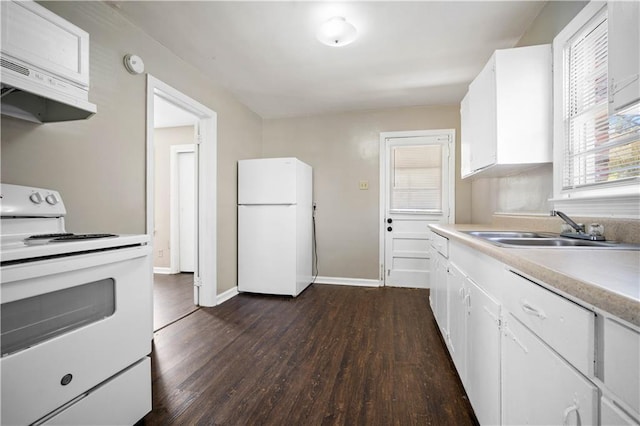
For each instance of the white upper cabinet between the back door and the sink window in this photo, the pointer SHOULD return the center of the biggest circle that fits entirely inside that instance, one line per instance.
(507, 113)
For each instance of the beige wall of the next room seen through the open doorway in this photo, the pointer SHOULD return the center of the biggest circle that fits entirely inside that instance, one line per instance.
(163, 140)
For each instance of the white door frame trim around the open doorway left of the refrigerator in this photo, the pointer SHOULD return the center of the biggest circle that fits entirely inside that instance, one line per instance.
(205, 262)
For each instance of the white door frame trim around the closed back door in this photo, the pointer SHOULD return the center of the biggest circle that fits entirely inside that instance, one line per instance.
(383, 183)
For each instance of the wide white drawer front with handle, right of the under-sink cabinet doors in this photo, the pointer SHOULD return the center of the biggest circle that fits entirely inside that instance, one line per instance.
(565, 326)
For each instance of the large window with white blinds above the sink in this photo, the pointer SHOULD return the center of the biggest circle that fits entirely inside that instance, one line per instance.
(599, 149)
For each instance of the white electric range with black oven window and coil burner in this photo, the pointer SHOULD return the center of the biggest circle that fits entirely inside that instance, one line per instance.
(76, 317)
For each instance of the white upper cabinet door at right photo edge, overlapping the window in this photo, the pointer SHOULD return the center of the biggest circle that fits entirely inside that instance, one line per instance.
(624, 54)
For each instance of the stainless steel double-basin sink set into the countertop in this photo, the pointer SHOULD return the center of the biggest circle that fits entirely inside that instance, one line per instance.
(517, 239)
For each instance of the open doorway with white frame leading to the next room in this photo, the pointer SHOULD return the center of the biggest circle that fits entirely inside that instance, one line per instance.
(181, 201)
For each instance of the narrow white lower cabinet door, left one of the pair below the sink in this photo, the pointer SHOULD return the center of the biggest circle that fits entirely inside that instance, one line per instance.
(457, 319)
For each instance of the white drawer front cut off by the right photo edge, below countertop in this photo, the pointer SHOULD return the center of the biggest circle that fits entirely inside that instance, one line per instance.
(621, 365)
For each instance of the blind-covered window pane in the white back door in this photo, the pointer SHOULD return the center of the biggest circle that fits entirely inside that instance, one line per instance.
(416, 178)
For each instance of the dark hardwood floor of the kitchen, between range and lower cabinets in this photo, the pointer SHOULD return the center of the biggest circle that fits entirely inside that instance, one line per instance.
(332, 356)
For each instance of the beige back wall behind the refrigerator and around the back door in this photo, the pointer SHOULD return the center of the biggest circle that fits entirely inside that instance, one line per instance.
(344, 149)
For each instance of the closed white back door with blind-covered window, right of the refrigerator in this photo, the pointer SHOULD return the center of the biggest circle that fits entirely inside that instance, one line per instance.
(416, 189)
